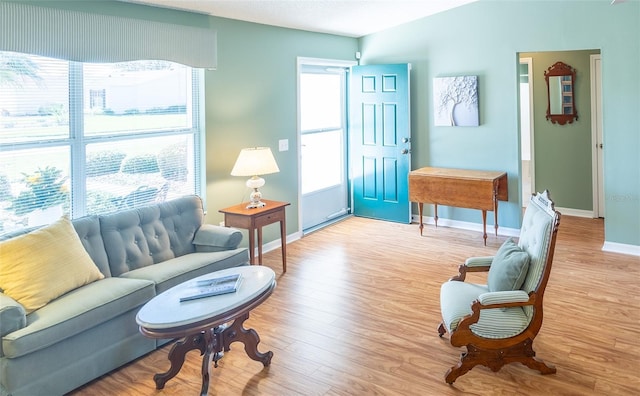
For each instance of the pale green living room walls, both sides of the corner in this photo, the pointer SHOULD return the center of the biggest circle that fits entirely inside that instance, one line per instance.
(251, 98)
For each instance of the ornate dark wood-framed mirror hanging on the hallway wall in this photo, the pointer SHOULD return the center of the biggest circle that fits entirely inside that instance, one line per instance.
(561, 106)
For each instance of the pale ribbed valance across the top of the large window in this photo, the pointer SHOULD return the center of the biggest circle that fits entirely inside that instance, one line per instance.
(85, 37)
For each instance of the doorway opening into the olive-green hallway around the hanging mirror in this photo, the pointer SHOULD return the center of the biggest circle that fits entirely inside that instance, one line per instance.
(561, 157)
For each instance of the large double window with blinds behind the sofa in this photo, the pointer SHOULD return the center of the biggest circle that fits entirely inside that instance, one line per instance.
(89, 138)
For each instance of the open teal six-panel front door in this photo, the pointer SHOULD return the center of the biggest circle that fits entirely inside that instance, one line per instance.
(380, 140)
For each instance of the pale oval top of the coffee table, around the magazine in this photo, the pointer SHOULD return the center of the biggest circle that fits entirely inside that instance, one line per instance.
(165, 310)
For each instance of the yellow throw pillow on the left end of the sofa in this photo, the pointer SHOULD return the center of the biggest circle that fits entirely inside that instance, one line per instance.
(42, 265)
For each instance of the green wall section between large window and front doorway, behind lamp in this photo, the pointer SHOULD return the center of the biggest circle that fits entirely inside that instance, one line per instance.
(251, 100)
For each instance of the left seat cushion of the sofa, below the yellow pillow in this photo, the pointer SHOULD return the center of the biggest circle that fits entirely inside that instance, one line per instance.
(77, 311)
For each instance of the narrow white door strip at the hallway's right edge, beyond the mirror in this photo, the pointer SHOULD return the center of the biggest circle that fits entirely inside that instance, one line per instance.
(597, 152)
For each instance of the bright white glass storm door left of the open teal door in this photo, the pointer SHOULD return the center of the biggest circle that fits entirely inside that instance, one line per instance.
(322, 133)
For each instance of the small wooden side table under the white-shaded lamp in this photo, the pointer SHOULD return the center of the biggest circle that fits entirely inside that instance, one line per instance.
(254, 219)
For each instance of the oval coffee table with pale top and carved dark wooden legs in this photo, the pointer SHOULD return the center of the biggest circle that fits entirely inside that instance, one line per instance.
(200, 323)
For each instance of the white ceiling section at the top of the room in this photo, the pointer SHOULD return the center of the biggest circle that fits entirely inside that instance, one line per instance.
(353, 18)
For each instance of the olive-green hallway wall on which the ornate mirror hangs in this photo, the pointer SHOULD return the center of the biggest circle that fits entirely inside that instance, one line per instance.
(563, 152)
